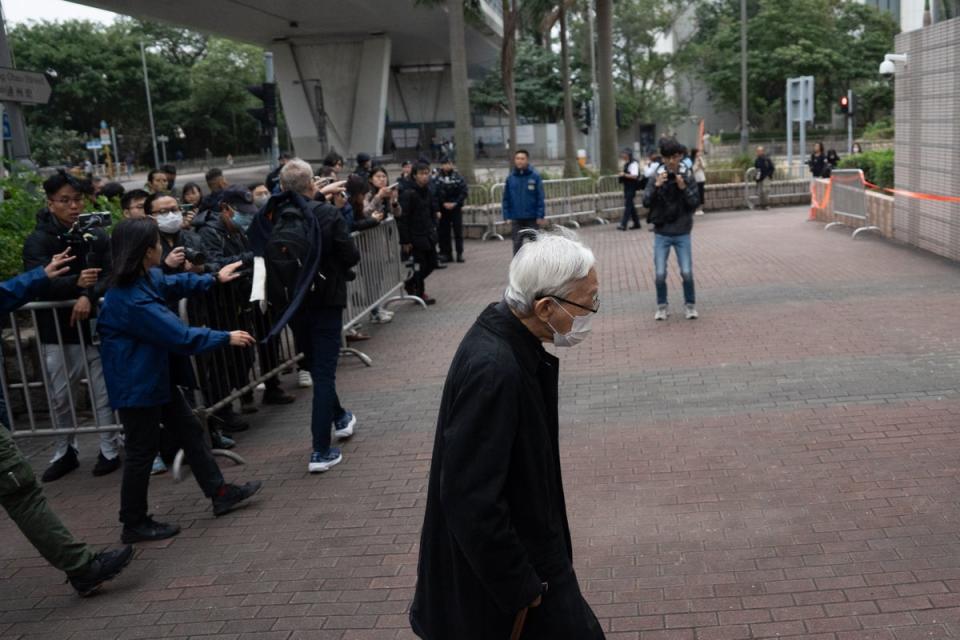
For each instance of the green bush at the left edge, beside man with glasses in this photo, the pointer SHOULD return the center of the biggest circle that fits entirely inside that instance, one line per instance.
(22, 198)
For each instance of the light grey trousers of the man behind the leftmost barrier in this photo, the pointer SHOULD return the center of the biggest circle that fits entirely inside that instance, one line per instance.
(65, 368)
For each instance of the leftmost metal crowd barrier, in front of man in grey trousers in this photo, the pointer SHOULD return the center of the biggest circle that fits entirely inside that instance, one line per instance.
(27, 381)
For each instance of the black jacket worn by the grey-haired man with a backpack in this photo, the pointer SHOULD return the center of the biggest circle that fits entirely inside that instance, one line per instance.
(338, 254)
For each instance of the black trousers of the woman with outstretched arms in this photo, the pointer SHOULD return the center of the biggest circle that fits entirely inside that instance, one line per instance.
(141, 427)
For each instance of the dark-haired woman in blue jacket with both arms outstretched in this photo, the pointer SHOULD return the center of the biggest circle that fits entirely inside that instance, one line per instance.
(139, 334)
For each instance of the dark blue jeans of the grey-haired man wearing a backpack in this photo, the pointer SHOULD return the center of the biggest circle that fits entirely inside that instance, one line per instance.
(318, 334)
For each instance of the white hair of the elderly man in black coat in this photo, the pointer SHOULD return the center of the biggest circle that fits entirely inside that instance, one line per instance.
(548, 264)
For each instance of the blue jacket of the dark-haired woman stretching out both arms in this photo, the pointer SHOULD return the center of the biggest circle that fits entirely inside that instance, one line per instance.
(139, 332)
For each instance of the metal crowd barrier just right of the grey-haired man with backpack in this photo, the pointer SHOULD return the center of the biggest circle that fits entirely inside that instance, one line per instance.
(380, 278)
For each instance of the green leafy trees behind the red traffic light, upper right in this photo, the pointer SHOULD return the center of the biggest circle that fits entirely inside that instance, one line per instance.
(836, 41)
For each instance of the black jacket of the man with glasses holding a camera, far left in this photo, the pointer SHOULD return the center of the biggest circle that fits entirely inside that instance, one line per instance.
(46, 240)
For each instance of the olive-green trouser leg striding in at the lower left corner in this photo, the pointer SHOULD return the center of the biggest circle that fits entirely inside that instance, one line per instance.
(23, 499)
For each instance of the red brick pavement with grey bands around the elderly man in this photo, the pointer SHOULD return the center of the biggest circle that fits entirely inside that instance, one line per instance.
(783, 467)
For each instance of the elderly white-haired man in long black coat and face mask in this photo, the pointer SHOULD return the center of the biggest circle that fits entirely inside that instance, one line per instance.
(495, 553)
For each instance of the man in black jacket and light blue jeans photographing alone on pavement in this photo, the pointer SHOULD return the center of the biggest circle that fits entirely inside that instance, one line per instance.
(672, 198)
